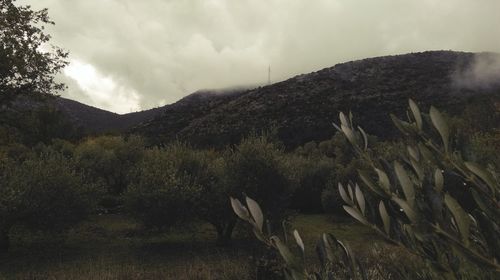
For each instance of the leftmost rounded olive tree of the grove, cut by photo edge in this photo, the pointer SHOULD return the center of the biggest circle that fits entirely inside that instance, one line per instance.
(41, 193)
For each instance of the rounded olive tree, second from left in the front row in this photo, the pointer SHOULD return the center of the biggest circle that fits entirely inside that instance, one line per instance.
(160, 195)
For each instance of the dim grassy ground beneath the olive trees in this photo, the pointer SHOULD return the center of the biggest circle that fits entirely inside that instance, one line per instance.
(113, 247)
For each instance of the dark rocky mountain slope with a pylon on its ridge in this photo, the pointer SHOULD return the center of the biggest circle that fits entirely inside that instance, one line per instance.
(302, 108)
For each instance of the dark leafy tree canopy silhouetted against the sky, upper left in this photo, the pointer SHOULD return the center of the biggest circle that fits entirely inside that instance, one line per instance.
(28, 62)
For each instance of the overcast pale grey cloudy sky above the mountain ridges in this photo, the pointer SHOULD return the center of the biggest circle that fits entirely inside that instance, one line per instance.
(129, 55)
